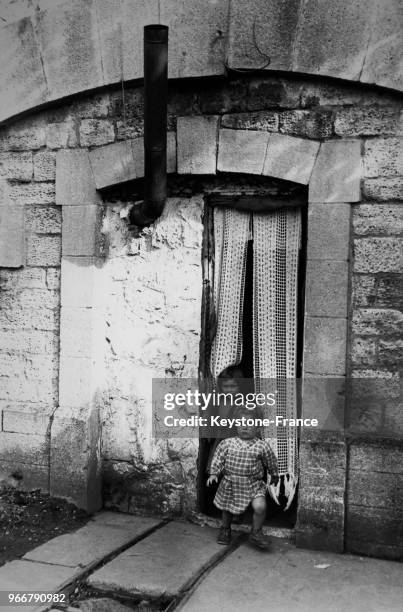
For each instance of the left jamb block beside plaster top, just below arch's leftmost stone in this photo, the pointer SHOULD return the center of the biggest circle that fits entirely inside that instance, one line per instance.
(81, 230)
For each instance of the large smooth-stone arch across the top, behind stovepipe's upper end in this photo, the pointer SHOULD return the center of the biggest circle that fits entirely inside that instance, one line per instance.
(51, 49)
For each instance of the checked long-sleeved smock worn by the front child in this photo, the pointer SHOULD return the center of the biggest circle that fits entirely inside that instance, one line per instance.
(241, 464)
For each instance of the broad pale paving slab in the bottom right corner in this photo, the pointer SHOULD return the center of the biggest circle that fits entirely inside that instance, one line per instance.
(287, 579)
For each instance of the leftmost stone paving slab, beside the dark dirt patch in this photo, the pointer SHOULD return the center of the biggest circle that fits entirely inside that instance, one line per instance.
(92, 542)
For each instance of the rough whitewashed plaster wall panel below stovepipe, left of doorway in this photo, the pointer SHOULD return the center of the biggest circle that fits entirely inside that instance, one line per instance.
(153, 286)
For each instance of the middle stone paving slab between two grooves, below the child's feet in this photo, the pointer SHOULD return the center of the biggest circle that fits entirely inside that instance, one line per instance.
(161, 565)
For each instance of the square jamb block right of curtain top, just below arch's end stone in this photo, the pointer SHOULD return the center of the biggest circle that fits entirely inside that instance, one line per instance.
(323, 242)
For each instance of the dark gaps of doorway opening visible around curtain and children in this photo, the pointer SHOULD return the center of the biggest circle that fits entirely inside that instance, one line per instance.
(276, 515)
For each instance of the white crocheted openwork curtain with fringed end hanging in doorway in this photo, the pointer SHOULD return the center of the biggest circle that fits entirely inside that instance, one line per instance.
(276, 244)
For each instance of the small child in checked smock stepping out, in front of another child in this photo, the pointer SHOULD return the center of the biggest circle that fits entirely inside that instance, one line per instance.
(240, 462)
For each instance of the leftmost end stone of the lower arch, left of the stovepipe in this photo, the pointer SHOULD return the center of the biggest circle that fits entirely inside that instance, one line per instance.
(74, 179)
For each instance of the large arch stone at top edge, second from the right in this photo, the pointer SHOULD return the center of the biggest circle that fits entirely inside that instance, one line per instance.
(332, 40)
